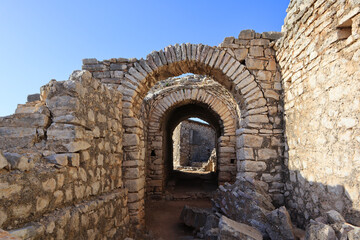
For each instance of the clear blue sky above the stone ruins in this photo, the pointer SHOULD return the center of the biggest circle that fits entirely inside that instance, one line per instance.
(44, 40)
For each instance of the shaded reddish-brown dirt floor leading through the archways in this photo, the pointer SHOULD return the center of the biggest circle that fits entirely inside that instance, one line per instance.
(163, 216)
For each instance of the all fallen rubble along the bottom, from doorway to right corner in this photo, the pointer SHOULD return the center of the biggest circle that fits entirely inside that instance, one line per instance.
(243, 210)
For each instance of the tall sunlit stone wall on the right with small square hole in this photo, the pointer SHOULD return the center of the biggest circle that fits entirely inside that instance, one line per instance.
(319, 59)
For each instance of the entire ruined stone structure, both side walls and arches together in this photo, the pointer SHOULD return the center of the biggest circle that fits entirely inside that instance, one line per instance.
(81, 159)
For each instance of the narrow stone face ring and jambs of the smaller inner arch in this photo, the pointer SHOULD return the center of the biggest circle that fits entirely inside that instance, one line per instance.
(225, 109)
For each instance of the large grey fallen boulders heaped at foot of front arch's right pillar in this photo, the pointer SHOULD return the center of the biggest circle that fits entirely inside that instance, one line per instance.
(240, 209)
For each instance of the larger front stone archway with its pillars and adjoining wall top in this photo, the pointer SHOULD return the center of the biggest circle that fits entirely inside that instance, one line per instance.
(258, 135)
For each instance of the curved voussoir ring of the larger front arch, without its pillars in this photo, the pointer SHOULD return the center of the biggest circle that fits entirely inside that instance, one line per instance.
(201, 59)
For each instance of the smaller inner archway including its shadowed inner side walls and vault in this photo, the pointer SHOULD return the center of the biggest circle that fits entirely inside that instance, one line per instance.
(166, 108)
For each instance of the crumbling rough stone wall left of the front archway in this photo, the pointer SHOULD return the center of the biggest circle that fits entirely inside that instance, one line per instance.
(62, 176)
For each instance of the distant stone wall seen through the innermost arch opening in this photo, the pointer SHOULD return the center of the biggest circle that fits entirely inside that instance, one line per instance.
(196, 142)
